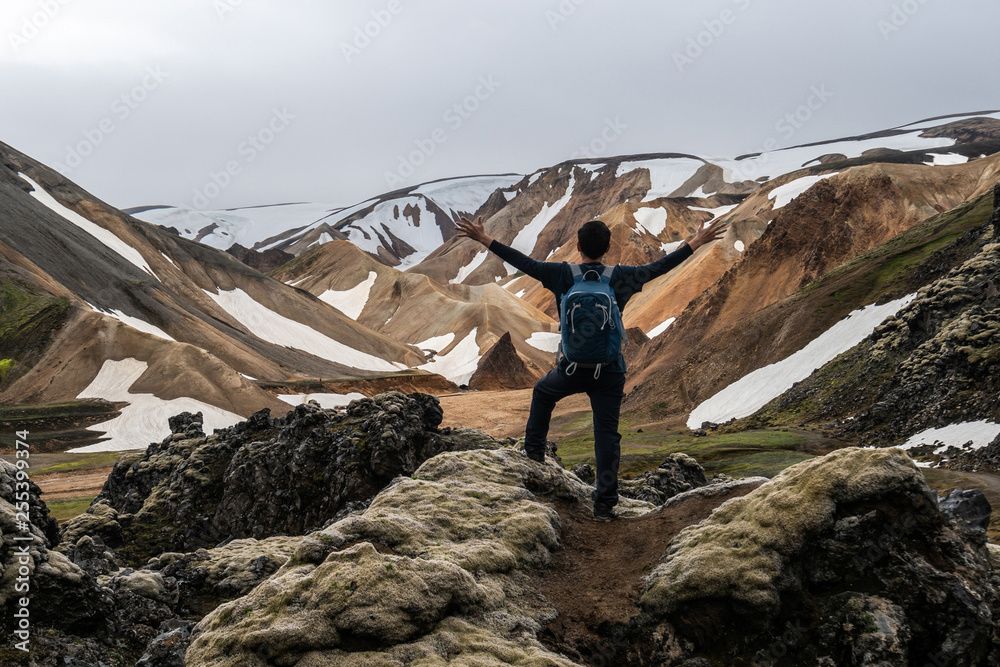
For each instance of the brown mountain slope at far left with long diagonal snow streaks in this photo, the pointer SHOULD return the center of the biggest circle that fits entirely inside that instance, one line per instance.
(121, 277)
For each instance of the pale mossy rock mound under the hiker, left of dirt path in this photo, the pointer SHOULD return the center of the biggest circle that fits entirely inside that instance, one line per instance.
(432, 572)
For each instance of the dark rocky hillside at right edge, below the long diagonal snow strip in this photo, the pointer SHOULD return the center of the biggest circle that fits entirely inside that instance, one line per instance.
(935, 363)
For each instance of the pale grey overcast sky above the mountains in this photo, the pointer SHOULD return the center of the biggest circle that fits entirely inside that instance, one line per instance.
(223, 103)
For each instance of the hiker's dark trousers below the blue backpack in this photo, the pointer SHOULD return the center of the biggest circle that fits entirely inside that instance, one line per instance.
(606, 394)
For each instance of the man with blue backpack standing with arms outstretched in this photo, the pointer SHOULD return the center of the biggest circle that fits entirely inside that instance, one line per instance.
(591, 297)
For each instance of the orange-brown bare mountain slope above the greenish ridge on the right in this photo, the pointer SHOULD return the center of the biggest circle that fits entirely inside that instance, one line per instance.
(834, 221)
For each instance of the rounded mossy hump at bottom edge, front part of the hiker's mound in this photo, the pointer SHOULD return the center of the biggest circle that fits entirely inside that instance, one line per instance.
(356, 598)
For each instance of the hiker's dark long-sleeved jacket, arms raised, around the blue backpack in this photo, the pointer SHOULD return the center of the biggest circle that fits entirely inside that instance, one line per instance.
(626, 280)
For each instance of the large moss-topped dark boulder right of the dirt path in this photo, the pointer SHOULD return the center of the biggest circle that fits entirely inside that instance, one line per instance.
(803, 547)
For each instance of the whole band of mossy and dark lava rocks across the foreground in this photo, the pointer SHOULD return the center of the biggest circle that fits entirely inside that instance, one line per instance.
(844, 559)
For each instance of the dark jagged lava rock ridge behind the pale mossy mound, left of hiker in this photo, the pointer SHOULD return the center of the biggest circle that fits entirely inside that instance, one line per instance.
(267, 476)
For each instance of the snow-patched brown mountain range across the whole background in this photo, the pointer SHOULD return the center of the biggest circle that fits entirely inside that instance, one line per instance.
(385, 289)
